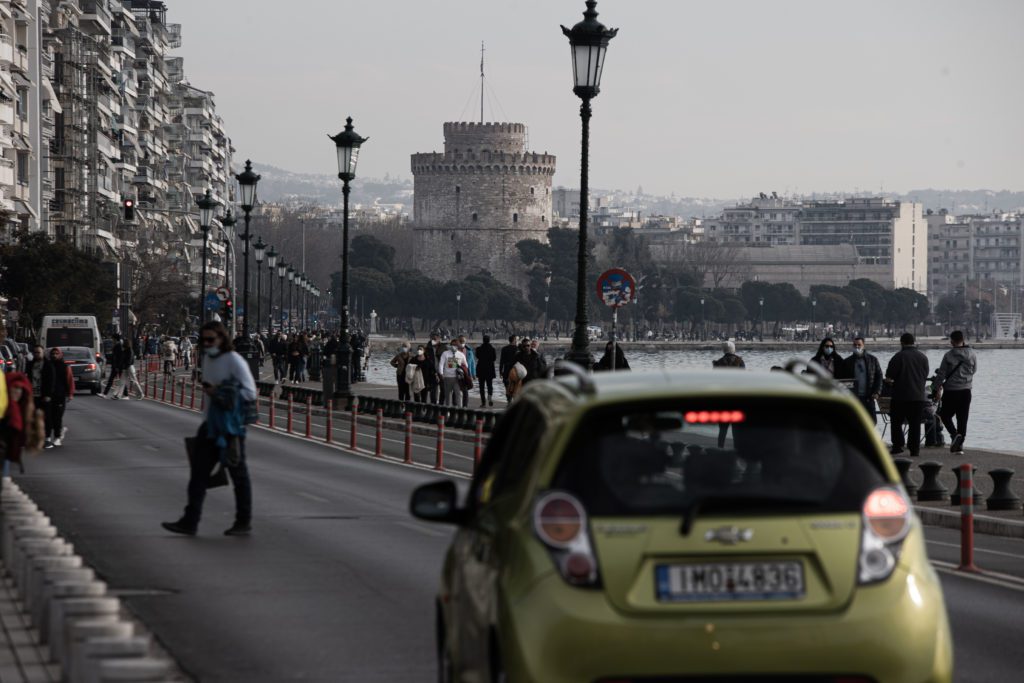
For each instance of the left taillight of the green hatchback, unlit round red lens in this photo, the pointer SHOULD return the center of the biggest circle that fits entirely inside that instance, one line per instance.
(561, 524)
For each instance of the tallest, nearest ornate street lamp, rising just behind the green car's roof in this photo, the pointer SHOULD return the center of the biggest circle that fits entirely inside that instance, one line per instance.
(589, 41)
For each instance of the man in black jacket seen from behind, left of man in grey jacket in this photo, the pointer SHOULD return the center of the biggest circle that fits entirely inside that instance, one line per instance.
(908, 373)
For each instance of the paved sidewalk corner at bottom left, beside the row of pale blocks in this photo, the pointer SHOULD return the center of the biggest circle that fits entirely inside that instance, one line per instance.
(22, 659)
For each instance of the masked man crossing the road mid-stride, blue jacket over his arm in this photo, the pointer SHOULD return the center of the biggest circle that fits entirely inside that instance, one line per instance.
(222, 438)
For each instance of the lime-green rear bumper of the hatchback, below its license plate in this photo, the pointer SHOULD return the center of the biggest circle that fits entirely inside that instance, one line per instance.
(897, 631)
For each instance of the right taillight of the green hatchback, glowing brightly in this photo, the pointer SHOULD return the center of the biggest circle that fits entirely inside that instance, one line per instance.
(887, 522)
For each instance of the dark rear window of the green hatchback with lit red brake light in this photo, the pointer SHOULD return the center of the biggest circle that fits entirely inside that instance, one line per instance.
(738, 454)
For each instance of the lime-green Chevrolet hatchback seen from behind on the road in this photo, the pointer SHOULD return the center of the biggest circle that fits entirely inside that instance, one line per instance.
(729, 527)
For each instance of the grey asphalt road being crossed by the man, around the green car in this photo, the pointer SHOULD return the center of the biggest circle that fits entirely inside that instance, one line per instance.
(337, 582)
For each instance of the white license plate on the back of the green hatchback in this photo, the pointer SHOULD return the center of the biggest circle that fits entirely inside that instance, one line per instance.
(730, 581)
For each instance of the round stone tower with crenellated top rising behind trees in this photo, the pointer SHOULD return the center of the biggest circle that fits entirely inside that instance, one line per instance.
(476, 201)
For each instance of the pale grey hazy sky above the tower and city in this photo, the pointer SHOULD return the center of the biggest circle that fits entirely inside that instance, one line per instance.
(708, 99)
